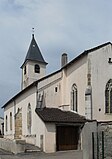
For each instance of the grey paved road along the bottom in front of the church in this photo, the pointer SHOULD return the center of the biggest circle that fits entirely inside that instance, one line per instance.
(41, 155)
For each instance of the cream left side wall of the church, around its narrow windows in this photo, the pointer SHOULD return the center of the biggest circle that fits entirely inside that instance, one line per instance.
(21, 102)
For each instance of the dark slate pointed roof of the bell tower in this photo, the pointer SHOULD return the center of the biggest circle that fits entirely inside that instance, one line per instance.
(34, 53)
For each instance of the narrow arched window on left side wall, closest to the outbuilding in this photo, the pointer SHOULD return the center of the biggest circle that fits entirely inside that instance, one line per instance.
(29, 121)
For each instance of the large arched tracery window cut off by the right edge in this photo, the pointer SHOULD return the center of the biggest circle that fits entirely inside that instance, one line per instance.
(108, 97)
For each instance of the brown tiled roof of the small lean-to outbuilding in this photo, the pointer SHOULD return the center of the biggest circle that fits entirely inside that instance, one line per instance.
(56, 115)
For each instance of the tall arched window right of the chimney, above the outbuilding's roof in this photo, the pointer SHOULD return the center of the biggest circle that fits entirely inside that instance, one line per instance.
(74, 97)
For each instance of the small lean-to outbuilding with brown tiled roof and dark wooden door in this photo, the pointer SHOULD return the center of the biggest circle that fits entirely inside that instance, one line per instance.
(61, 129)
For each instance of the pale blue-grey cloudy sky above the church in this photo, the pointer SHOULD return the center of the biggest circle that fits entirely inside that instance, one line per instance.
(70, 26)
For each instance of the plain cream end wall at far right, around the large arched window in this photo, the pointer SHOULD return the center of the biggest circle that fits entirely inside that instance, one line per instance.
(101, 73)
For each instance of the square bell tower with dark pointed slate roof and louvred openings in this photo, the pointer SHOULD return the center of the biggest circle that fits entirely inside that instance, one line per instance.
(34, 65)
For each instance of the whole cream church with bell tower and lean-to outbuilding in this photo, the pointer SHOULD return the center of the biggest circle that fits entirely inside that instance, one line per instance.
(53, 111)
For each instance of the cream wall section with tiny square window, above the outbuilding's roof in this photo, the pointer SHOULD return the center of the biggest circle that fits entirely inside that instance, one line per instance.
(51, 87)
